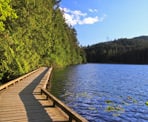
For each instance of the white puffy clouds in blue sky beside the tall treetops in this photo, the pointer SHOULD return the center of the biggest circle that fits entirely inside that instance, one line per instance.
(78, 17)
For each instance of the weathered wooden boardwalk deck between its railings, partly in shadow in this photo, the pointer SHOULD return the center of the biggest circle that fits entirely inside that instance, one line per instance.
(23, 102)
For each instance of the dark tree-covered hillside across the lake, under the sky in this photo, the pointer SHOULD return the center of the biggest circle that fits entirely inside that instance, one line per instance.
(129, 51)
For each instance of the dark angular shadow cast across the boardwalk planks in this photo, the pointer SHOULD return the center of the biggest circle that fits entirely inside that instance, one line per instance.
(35, 112)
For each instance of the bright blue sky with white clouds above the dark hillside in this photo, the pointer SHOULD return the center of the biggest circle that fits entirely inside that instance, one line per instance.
(104, 20)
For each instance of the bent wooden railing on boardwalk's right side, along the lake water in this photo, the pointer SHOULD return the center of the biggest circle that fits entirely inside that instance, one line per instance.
(56, 102)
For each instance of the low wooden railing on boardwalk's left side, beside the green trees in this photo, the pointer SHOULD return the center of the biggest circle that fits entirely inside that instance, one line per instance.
(12, 82)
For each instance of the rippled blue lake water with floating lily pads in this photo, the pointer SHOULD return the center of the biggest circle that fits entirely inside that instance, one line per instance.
(104, 92)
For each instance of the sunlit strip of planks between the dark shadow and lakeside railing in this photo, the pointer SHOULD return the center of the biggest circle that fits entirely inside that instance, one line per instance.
(55, 114)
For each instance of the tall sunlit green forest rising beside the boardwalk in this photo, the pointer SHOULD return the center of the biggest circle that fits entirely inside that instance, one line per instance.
(34, 33)
